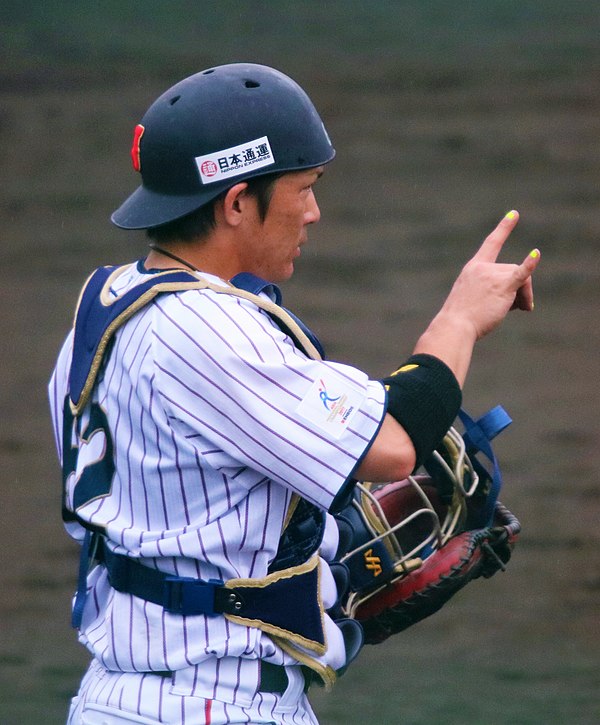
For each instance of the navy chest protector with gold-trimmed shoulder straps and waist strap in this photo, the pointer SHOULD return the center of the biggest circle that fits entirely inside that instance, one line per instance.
(286, 603)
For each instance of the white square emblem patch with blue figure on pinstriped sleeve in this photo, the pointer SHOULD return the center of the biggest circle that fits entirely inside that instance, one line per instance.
(331, 403)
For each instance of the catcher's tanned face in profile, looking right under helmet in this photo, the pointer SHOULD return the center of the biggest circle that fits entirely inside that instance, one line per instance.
(273, 244)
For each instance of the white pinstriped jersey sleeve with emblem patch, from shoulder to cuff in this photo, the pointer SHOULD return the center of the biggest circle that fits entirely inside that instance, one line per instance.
(240, 391)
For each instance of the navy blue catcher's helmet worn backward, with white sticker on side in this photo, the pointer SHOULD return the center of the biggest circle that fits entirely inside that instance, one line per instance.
(214, 129)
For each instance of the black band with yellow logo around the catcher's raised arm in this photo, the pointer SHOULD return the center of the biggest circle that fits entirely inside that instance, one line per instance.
(424, 397)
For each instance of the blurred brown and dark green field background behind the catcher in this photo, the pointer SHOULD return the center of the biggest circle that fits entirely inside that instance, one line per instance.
(444, 116)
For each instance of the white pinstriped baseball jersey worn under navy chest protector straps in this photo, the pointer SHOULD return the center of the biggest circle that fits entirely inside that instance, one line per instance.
(213, 415)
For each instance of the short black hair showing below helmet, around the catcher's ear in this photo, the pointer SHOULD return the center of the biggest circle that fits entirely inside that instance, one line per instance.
(200, 222)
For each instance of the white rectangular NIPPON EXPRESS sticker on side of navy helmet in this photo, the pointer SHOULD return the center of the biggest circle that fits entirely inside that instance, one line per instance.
(234, 161)
